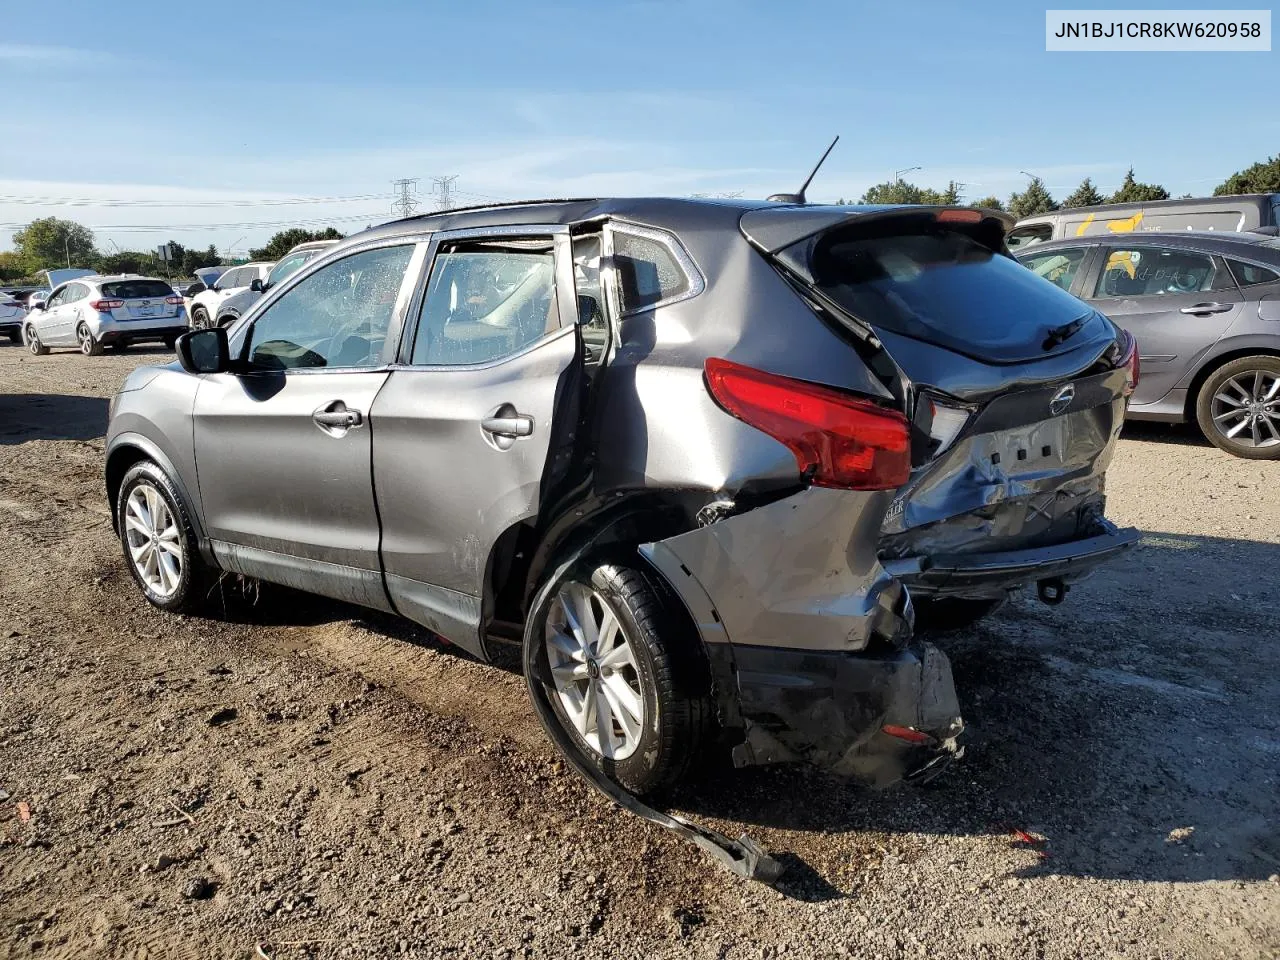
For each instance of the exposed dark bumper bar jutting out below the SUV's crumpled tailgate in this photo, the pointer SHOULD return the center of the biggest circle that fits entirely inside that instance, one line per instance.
(993, 574)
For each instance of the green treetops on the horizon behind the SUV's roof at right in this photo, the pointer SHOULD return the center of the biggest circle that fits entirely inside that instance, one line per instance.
(1259, 179)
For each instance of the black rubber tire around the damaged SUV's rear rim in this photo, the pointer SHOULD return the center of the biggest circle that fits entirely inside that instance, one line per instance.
(670, 671)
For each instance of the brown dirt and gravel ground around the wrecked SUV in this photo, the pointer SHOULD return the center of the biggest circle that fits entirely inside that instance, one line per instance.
(310, 780)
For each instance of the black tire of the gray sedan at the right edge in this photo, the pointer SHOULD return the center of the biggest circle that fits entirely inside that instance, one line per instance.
(1247, 372)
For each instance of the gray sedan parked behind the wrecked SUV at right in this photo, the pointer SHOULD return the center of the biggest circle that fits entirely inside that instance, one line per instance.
(1205, 309)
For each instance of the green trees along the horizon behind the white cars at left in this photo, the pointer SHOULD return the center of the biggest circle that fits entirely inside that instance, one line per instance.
(51, 244)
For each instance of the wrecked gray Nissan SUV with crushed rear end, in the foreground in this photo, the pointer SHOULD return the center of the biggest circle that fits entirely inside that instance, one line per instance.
(710, 465)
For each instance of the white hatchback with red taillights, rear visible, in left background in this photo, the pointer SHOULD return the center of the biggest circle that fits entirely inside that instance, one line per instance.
(93, 313)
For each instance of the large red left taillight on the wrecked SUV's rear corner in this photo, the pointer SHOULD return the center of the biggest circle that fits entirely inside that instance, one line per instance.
(838, 441)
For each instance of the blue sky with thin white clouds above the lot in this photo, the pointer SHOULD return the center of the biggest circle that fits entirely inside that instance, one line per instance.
(207, 113)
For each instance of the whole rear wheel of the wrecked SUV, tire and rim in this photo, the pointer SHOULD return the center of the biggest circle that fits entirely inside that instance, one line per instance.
(628, 679)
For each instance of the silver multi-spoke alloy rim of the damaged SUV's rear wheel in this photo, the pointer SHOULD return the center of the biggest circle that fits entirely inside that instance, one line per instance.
(595, 673)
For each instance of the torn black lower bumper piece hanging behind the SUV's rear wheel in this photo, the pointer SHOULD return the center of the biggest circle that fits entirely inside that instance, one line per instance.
(834, 710)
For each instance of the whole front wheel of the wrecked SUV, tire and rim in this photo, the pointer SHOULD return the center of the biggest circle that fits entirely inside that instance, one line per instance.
(159, 542)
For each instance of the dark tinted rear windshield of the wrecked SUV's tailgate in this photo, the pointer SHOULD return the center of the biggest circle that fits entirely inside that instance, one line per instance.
(943, 287)
